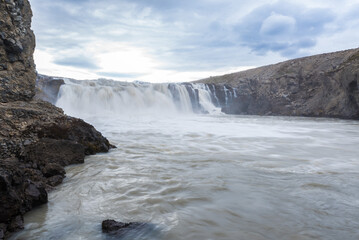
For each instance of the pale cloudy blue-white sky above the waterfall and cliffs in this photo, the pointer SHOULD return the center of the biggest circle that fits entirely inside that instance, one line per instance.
(184, 40)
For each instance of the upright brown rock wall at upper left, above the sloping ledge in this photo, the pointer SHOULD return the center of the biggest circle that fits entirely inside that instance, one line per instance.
(17, 43)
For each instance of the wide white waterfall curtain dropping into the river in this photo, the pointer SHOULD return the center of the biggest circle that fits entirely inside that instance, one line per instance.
(107, 97)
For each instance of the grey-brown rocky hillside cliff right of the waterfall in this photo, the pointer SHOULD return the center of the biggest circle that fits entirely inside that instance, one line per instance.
(324, 85)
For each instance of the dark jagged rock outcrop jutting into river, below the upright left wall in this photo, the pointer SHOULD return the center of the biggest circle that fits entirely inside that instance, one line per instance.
(36, 141)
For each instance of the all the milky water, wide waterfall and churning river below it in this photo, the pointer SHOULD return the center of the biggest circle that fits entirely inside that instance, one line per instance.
(202, 176)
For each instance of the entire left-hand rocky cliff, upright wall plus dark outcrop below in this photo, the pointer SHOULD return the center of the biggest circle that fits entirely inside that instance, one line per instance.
(36, 138)
